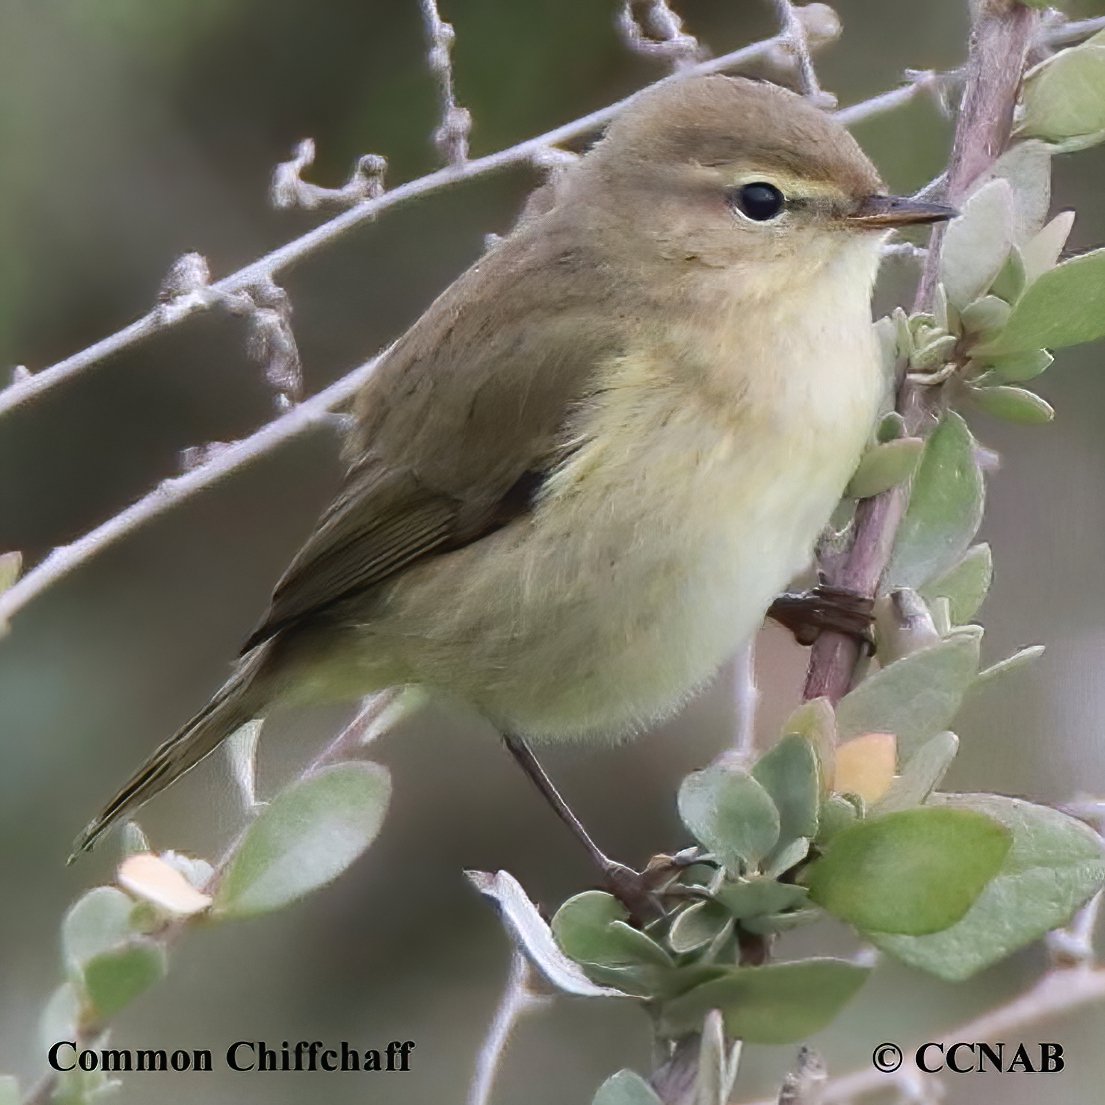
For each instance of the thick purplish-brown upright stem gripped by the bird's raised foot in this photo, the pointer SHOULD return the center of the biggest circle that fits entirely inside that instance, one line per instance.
(999, 45)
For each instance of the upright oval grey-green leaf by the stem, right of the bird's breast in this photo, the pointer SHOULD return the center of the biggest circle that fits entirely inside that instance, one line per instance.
(945, 508)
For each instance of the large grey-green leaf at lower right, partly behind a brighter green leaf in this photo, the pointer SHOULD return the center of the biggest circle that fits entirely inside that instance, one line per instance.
(1056, 866)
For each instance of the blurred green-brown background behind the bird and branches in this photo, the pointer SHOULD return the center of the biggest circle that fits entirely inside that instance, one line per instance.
(133, 132)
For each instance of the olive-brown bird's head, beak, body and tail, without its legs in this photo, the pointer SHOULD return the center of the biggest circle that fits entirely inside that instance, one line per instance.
(577, 482)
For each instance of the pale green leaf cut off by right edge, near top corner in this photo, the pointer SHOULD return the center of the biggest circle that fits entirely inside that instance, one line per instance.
(1065, 98)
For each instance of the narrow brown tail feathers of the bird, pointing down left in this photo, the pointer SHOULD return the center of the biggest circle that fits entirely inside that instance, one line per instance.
(236, 703)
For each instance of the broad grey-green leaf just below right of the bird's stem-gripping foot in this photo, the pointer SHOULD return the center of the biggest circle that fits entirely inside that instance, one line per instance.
(914, 698)
